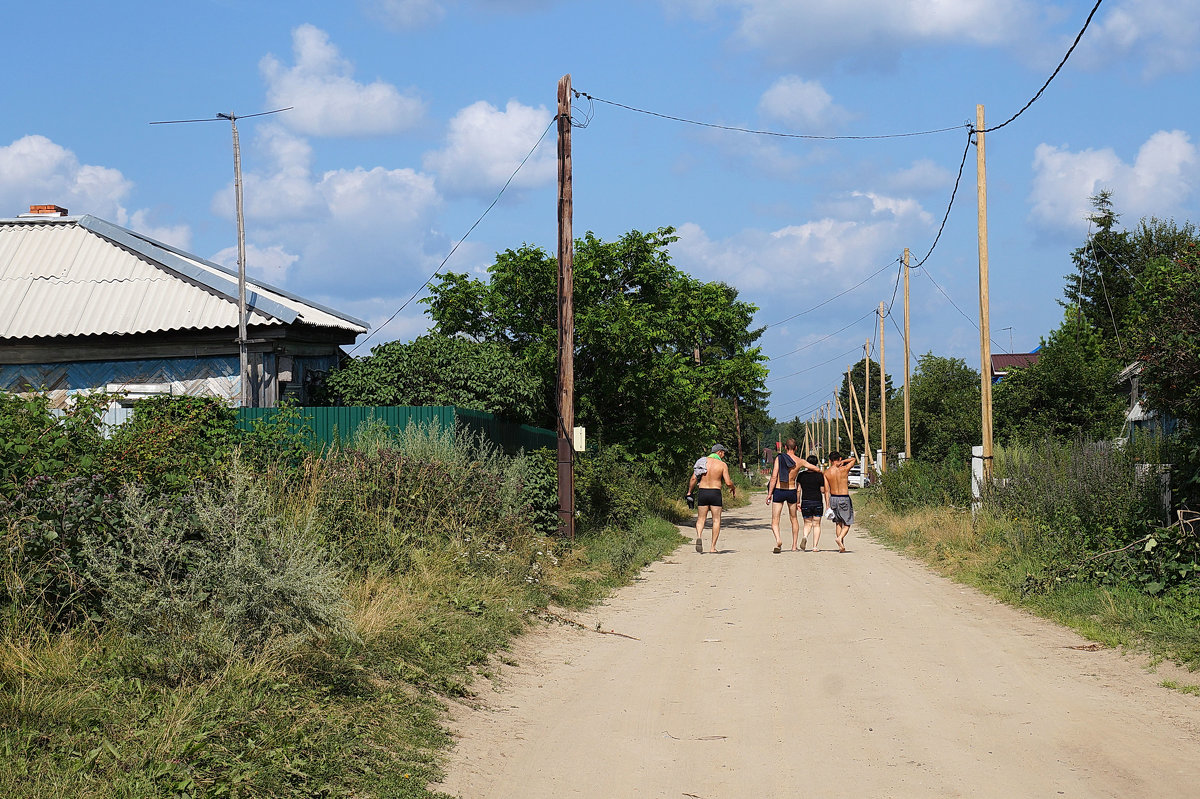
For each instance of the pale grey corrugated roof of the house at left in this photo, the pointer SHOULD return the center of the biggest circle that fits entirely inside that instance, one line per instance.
(82, 277)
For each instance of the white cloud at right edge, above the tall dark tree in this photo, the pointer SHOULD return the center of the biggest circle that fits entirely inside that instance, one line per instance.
(1162, 177)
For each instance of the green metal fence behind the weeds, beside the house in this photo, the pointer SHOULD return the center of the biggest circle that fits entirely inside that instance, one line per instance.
(333, 426)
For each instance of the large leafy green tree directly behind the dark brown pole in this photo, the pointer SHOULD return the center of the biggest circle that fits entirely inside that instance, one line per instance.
(663, 363)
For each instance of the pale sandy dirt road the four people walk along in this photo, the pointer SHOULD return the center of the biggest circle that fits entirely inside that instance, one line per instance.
(819, 675)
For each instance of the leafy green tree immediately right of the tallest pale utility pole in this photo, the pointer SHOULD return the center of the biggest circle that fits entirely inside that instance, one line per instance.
(1070, 393)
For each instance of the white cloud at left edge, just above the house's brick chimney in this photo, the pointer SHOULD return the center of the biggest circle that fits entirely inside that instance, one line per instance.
(37, 171)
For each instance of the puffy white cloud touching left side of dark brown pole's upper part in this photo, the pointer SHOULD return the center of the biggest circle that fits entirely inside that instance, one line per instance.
(485, 146)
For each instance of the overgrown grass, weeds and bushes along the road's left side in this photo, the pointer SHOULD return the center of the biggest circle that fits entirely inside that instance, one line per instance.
(251, 618)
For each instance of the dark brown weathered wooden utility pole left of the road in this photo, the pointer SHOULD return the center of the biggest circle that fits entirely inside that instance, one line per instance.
(566, 316)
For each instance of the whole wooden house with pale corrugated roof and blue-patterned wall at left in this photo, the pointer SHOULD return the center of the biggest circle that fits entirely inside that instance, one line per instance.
(87, 305)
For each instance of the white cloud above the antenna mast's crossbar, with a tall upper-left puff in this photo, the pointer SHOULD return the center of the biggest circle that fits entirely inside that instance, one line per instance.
(326, 98)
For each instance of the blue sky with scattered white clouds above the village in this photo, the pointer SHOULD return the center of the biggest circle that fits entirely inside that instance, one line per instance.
(409, 117)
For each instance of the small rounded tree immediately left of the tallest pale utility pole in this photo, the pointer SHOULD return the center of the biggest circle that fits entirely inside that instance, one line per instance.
(945, 410)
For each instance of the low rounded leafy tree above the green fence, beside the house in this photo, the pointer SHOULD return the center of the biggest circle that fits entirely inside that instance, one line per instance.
(441, 371)
